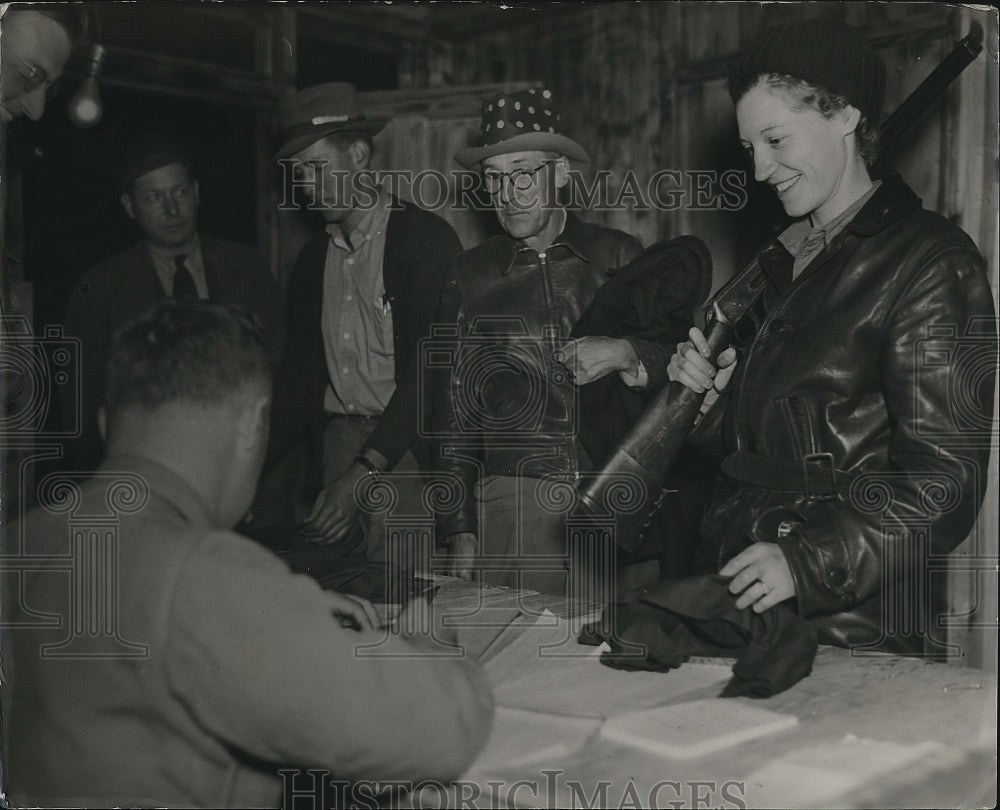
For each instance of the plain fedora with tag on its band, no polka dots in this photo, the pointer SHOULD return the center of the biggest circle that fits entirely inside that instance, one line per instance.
(322, 110)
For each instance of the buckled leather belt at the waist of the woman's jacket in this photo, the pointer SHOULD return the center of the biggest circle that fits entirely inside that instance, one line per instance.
(813, 475)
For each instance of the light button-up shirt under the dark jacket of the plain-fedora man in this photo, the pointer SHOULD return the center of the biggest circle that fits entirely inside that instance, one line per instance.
(357, 317)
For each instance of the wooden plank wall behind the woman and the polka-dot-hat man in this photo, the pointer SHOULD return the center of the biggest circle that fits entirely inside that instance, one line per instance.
(642, 87)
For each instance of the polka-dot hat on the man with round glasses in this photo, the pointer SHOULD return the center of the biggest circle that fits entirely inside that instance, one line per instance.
(525, 121)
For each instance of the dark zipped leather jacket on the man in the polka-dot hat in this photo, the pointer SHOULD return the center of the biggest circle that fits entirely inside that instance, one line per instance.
(503, 404)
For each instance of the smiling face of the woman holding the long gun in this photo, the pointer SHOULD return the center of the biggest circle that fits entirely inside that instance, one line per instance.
(801, 153)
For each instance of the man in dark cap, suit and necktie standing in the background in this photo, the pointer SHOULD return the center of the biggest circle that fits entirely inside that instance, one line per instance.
(159, 193)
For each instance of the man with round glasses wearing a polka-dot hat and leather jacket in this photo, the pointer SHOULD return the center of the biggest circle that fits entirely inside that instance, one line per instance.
(506, 414)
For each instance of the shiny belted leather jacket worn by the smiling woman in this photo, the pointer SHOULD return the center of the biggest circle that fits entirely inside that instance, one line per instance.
(877, 366)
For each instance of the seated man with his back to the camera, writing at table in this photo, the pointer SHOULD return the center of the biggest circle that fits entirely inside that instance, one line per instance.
(248, 668)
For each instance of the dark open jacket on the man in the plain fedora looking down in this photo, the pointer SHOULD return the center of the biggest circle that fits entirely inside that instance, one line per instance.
(418, 249)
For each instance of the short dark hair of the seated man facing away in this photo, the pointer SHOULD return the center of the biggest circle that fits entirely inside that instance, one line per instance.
(185, 350)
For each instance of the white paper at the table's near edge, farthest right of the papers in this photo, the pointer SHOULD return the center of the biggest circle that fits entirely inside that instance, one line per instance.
(818, 775)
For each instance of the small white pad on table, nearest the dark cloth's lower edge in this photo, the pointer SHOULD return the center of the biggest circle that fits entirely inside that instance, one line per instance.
(690, 730)
